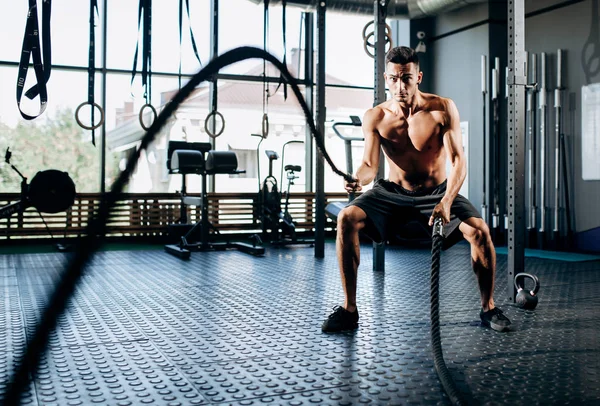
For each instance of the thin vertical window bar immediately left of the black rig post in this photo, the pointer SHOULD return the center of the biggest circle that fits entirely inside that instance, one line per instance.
(309, 77)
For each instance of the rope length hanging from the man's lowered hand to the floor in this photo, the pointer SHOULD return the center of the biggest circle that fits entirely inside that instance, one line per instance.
(438, 358)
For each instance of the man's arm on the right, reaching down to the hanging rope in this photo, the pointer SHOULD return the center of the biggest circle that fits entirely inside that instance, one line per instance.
(453, 147)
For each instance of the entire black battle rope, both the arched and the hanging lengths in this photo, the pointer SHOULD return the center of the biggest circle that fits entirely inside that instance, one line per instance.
(96, 229)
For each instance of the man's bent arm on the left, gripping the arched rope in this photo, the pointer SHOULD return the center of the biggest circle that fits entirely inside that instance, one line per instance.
(367, 170)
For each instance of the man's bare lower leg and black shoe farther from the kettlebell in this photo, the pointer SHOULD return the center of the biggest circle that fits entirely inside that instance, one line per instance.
(350, 221)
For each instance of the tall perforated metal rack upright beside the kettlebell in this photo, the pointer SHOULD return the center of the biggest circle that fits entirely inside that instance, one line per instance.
(516, 142)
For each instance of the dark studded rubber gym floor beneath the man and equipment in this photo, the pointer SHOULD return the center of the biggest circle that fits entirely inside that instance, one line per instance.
(224, 327)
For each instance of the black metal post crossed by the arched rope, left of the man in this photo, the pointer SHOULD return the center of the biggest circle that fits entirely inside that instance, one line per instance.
(321, 114)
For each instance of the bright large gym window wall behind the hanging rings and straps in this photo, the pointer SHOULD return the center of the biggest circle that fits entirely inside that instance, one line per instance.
(67, 88)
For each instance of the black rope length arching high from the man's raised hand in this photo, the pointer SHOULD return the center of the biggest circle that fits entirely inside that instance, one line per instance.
(97, 225)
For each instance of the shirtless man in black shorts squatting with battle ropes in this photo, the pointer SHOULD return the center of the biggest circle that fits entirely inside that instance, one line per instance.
(418, 132)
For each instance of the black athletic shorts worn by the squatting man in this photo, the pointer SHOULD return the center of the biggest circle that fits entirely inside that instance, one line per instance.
(389, 207)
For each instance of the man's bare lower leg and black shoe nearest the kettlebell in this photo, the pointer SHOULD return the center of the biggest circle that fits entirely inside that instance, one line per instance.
(483, 260)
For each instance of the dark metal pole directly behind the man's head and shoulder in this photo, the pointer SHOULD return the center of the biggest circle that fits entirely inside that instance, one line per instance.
(380, 10)
